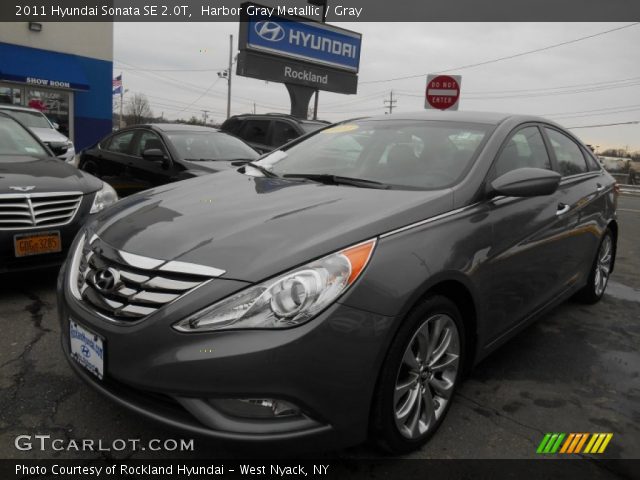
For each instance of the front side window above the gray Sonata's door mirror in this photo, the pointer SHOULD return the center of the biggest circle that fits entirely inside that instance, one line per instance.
(525, 148)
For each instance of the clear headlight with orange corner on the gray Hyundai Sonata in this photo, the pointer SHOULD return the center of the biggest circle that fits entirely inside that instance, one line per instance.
(288, 300)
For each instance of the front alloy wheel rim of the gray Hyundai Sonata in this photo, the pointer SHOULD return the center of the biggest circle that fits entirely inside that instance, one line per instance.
(427, 375)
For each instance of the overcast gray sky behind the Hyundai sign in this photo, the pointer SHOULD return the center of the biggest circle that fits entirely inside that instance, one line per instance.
(591, 82)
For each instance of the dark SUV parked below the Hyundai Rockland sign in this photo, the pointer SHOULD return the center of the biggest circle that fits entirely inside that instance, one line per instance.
(265, 132)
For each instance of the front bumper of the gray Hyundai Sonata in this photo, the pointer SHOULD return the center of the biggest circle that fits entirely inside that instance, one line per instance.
(327, 367)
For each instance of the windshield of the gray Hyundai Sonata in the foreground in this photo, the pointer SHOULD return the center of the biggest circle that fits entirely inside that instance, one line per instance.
(396, 153)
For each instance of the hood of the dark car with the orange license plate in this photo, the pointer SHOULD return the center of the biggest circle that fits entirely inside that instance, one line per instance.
(45, 175)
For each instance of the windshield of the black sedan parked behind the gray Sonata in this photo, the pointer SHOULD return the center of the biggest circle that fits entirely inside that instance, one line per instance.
(202, 146)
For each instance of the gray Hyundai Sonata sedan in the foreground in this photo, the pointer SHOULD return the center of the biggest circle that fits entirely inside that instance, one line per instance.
(339, 288)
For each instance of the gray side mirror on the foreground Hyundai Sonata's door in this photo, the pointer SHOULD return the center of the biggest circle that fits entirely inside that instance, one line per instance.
(526, 182)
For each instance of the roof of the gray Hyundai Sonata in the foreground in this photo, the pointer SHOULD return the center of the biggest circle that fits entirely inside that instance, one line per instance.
(490, 118)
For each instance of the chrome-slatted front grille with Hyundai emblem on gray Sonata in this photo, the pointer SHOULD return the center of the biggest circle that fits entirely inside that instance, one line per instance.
(126, 287)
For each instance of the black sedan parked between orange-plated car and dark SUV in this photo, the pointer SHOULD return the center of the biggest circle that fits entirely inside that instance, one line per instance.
(144, 156)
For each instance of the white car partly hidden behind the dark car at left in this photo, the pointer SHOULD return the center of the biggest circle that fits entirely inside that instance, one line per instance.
(46, 131)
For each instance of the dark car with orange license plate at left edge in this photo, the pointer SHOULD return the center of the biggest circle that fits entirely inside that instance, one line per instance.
(43, 202)
